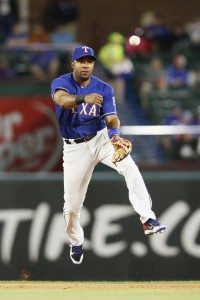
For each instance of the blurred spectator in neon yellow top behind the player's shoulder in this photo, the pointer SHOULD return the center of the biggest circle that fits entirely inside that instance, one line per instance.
(119, 68)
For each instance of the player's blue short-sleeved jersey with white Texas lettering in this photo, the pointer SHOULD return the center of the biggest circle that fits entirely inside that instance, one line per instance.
(86, 118)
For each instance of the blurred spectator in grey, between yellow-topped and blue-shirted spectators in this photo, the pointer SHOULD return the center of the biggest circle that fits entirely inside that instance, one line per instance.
(153, 77)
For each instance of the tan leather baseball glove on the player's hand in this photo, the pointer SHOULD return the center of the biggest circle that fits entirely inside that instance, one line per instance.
(122, 148)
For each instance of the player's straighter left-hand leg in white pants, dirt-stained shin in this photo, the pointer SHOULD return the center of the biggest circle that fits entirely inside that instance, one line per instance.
(78, 167)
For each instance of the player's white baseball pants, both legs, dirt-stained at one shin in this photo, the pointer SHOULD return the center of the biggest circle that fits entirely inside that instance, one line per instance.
(79, 161)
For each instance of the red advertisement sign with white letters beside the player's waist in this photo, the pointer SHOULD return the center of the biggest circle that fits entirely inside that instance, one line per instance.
(29, 135)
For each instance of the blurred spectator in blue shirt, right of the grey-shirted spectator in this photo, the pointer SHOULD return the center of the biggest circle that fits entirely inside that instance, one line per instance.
(178, 75)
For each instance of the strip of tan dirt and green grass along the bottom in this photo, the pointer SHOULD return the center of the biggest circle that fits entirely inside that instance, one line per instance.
(100, 290)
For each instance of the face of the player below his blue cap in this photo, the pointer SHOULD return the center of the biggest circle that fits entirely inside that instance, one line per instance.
(82, 68)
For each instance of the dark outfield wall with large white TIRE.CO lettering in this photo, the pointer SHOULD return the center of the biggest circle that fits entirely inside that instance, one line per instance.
(33, 241)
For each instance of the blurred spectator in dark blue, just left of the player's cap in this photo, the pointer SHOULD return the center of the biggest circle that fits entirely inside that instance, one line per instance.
(44, 64)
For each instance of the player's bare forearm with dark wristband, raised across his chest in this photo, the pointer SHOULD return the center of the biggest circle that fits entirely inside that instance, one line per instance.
(67, 101)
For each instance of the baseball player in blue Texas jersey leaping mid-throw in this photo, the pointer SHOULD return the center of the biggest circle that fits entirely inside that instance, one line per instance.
(87, 117)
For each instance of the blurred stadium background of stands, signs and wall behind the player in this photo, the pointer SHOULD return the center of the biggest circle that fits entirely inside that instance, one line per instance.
(34, 34)
